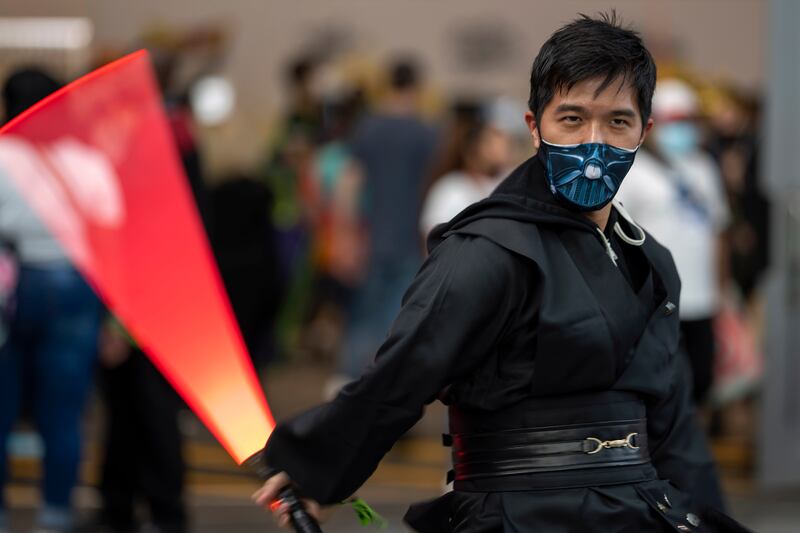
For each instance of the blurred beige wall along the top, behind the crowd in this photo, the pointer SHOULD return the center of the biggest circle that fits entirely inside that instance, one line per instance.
(468, 46)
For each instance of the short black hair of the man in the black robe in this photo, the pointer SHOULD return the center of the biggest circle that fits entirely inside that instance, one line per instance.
(590, 48)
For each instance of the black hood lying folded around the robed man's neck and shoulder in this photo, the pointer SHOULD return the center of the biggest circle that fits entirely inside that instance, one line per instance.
(522, 197)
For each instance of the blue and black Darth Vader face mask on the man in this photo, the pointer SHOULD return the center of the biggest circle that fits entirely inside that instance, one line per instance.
(585, 176)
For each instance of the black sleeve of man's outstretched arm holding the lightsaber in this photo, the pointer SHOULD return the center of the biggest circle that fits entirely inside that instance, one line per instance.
(450, 319)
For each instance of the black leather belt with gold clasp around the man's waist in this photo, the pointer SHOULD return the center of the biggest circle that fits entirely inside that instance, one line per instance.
(550, 449)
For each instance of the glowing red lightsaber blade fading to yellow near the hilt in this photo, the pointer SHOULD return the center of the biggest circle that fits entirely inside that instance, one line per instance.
(97, 162)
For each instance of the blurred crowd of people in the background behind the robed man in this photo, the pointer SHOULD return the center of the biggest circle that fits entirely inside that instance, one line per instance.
(317, 242)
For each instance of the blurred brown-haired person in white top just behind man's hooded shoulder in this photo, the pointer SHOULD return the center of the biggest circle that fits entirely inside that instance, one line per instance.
(474, 169)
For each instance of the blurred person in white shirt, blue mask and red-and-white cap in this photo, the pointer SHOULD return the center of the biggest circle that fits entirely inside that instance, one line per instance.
(675, 191)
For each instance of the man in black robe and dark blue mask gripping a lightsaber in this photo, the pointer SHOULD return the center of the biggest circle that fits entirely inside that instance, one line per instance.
(546, 319)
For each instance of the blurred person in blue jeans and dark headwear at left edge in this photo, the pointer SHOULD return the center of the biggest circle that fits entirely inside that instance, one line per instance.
(53, 339)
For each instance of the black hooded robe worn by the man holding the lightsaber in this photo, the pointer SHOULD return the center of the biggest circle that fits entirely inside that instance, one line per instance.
(520, 301)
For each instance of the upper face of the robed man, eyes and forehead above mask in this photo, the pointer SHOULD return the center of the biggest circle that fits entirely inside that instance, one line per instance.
(581, 116)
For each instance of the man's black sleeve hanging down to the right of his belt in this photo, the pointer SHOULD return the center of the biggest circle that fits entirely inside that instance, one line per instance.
(678, 446)
